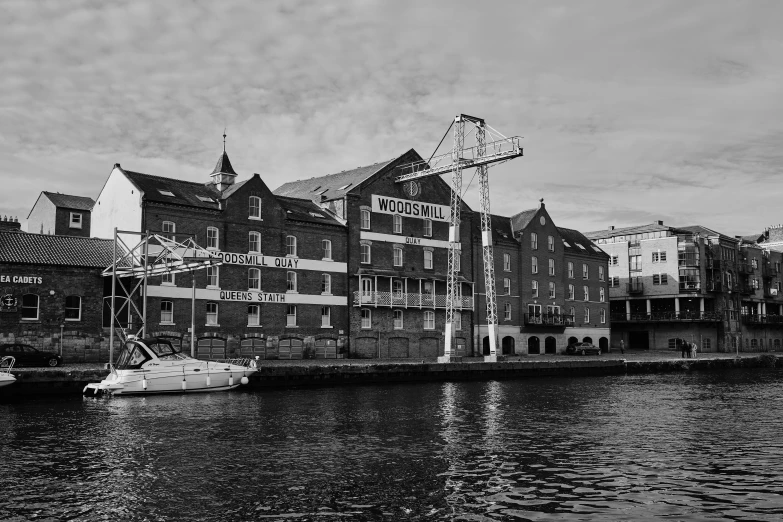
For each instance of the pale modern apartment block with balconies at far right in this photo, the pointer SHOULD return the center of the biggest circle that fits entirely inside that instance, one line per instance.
(693, 283)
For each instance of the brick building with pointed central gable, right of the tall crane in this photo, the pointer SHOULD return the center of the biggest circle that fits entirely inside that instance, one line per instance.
(552, 288)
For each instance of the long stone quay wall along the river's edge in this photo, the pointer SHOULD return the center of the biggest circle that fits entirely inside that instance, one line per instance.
(71, 379)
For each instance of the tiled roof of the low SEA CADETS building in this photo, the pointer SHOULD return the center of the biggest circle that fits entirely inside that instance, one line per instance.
(41, 249)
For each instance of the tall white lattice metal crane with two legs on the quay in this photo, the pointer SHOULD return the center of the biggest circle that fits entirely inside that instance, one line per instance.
(480, 156)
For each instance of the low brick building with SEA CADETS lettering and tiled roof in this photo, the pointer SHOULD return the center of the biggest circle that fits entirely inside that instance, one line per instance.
(52, 293)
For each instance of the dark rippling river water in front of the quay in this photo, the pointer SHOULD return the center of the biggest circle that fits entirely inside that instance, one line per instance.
(704, 446)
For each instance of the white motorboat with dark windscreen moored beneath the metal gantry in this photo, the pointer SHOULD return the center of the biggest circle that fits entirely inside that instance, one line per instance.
(147, 366)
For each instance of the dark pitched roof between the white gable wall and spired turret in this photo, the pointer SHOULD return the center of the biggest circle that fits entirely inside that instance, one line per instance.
(185, 193)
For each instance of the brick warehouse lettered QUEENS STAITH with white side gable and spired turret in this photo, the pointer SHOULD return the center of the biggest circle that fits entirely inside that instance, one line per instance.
(284, 296)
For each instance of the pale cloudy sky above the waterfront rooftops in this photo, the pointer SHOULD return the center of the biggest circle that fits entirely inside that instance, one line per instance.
(630, 112)
